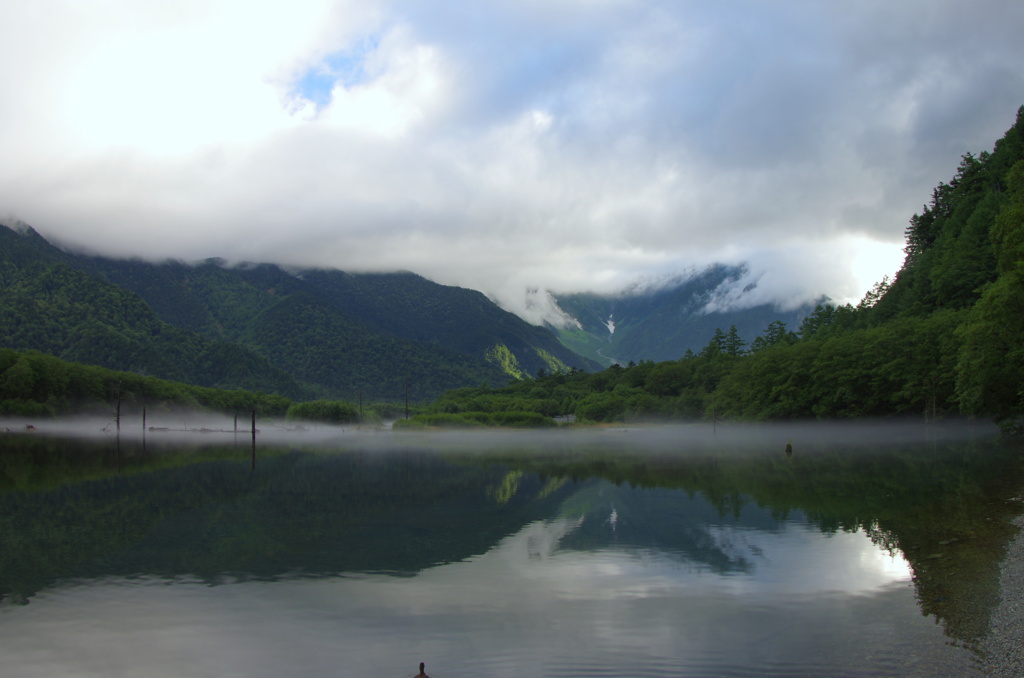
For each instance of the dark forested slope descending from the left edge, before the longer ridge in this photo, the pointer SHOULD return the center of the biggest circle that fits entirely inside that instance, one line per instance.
(51, 307)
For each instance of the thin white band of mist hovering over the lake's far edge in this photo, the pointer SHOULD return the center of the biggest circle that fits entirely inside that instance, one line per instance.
(190, 428)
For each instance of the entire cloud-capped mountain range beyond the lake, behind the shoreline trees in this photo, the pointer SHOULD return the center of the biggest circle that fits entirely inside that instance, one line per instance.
(312, 333)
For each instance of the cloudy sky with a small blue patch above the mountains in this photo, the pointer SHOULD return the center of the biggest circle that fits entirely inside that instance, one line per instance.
(514, 148)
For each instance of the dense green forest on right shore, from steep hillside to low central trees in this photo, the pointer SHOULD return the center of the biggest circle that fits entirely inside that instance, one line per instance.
(945, 337)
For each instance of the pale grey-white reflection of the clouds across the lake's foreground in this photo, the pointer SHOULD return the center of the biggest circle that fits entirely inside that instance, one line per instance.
(526, 608)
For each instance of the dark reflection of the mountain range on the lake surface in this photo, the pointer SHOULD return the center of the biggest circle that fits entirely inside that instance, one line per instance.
(208, 515)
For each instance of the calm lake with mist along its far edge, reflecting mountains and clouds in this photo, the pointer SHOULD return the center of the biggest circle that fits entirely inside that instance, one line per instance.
(733, 550)
